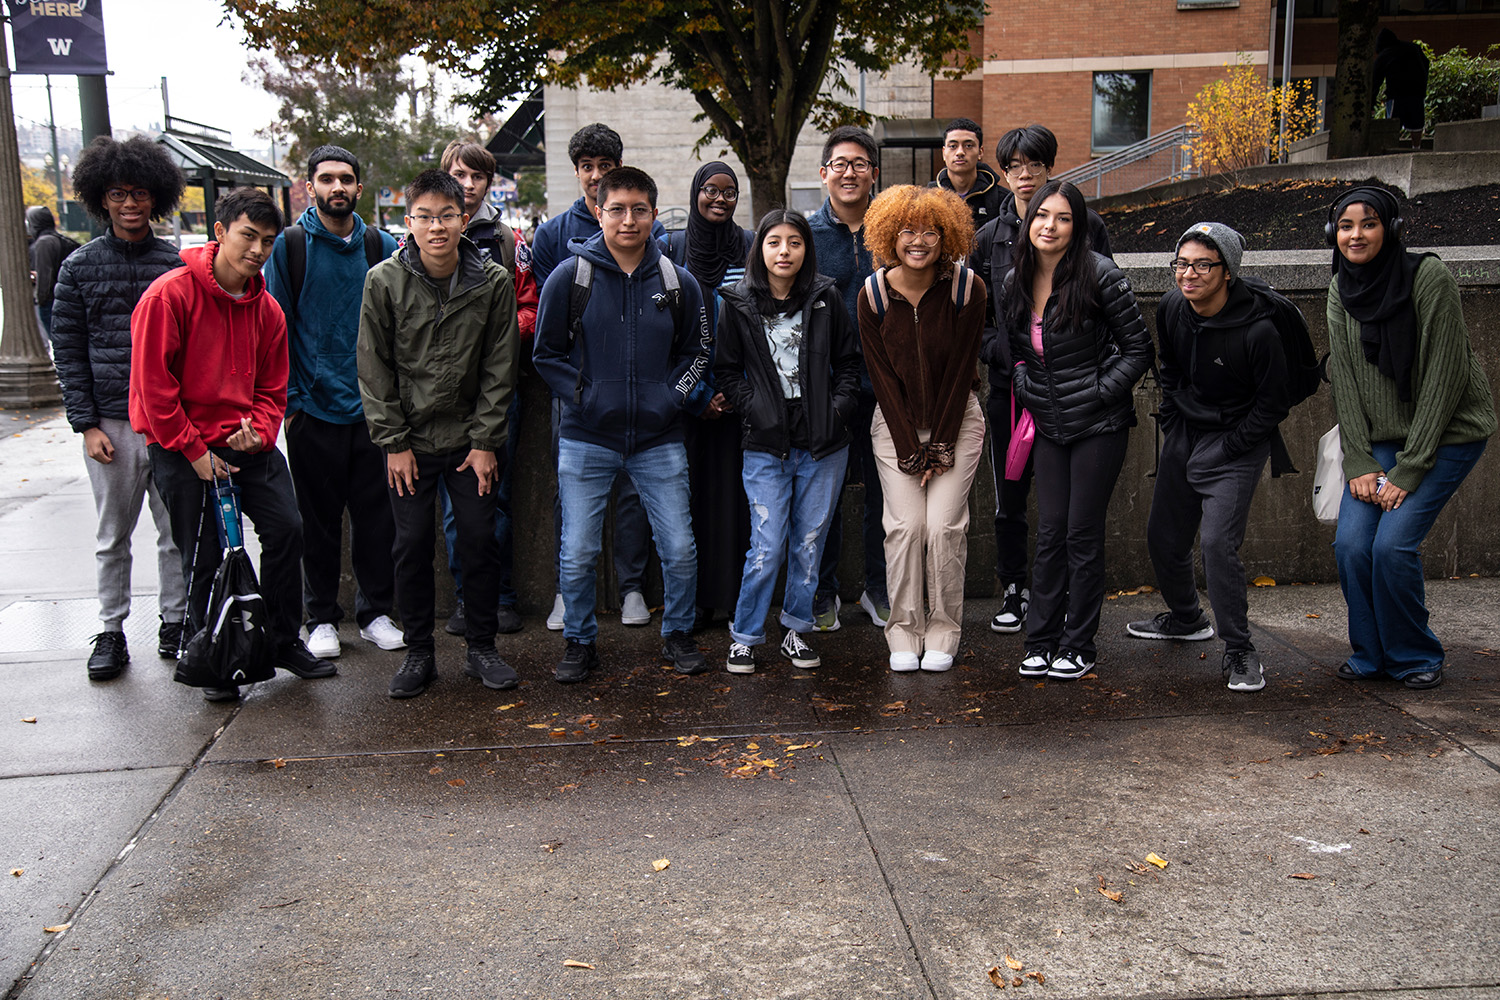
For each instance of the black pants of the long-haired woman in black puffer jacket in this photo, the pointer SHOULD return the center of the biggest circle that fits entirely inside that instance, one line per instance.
(1075, 484)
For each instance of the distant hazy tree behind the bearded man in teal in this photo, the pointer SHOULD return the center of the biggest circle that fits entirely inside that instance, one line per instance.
(376, 112)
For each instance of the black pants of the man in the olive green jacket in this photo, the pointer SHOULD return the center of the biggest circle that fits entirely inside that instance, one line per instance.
(416, 542)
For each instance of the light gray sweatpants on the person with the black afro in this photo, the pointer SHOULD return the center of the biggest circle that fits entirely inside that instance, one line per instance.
(119, 490)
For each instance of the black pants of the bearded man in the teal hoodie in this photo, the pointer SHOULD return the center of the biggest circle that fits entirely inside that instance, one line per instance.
(337, 467)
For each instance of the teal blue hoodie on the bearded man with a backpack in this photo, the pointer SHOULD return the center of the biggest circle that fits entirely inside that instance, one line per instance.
(325, 326)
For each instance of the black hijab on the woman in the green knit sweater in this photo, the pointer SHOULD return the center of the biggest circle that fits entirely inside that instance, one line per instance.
(1379, 293)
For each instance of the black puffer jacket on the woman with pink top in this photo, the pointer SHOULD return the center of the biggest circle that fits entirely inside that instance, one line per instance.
(1082, 386)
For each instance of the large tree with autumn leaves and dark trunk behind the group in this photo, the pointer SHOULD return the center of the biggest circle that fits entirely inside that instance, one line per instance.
(755, 68)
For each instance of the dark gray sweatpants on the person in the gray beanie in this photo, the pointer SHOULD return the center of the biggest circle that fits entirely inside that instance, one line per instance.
(1199, 490)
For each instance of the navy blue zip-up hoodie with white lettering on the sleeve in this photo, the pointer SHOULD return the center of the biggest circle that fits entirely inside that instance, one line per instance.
(634, 370)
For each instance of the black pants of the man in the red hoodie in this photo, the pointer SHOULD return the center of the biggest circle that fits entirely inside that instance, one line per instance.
(266, 500)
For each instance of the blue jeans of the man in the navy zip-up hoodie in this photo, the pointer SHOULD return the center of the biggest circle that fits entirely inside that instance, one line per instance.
(586, 476)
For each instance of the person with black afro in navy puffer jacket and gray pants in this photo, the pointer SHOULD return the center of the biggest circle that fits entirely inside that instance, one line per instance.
(125, 187)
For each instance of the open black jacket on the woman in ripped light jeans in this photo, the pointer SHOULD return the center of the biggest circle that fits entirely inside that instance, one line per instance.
(829, 371)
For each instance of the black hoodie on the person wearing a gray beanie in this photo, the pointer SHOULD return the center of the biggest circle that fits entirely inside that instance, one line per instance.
(1226, 373)
